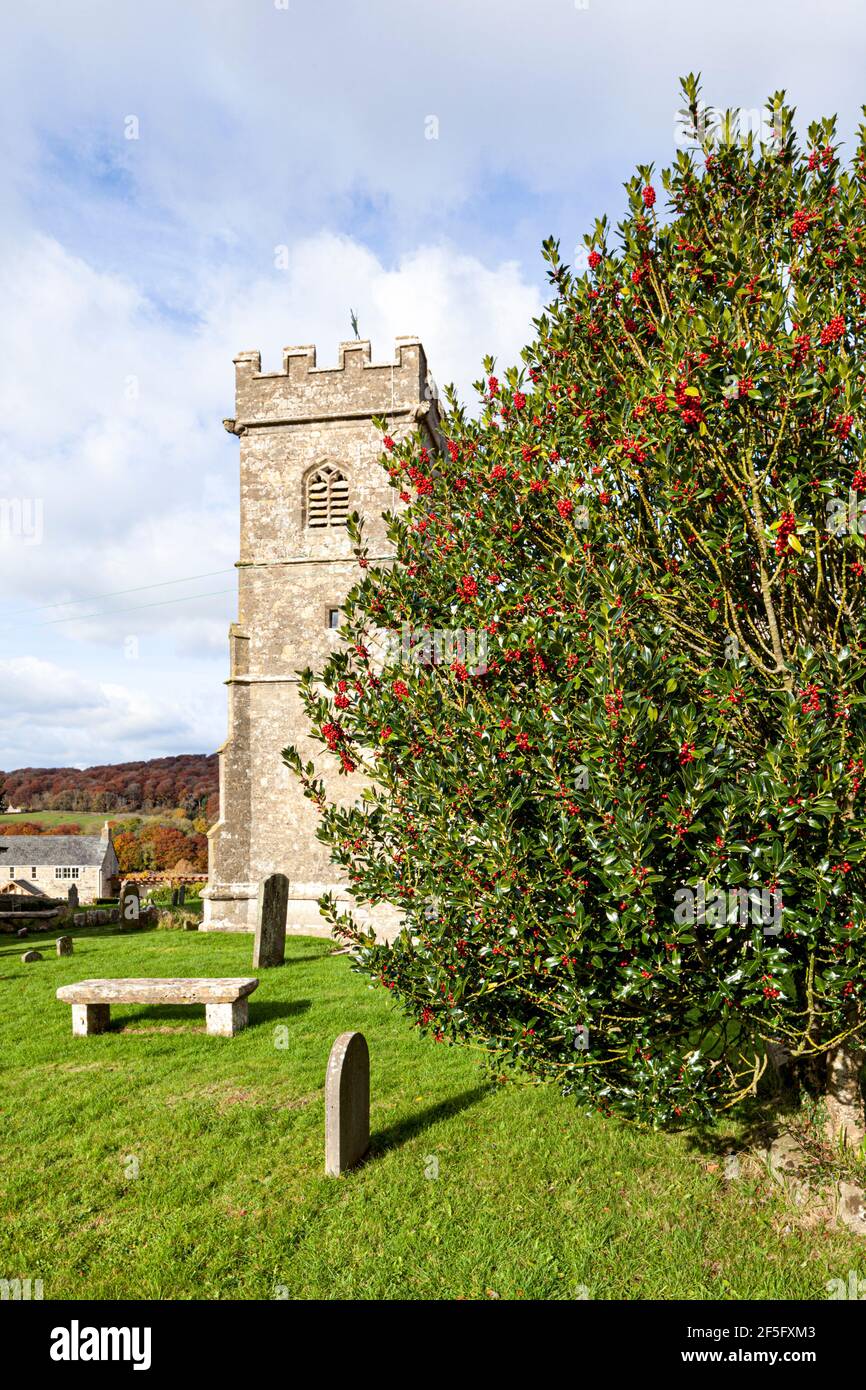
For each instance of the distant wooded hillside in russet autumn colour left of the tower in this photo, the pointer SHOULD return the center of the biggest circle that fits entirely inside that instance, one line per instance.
(187, 783)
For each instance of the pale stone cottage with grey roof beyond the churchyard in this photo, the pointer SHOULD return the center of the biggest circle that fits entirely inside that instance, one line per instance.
(47, 867)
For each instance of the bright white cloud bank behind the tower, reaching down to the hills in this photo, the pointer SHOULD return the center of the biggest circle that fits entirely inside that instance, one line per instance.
(138, 490)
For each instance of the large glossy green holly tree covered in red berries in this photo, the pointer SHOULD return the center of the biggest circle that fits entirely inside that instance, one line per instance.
(655, 528)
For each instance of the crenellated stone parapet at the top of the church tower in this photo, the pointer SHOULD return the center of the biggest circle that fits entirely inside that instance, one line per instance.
(357, 387)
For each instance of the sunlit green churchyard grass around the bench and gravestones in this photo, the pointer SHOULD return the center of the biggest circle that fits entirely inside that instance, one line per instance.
(158, 1163)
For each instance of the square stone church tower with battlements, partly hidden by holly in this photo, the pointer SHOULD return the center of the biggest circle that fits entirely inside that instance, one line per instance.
(309, 457)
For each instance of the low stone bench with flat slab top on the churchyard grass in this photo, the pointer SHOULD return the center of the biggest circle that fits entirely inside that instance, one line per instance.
(226, 1001)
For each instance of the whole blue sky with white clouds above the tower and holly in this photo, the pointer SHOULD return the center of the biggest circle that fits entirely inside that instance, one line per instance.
(186, 181)
